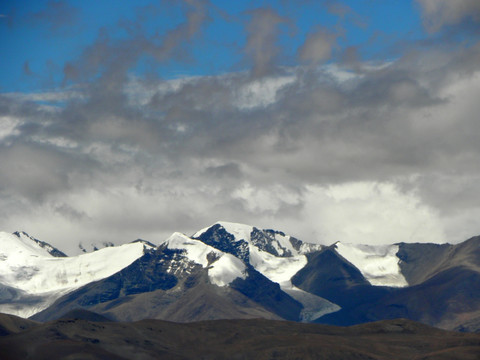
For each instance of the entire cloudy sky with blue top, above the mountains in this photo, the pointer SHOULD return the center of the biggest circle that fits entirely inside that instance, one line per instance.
(354, 121)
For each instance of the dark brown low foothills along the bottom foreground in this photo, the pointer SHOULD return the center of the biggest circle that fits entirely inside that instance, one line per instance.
(239, 339)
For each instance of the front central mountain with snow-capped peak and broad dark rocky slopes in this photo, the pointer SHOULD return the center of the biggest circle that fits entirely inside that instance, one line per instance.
(182, 280)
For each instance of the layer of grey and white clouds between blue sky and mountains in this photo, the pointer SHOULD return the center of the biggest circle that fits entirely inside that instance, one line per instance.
(380, 152)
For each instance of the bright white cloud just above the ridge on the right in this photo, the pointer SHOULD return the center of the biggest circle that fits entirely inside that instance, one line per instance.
(370, 213)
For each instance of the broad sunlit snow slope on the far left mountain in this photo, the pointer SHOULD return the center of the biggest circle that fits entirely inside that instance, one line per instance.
(35, 278)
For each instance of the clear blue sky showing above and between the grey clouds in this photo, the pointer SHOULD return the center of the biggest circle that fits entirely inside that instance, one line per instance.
(41, 37)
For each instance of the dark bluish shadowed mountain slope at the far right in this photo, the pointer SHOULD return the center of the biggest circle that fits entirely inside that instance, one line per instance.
(445, 300)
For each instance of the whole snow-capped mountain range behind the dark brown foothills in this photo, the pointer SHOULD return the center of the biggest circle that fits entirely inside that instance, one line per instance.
(235, 271)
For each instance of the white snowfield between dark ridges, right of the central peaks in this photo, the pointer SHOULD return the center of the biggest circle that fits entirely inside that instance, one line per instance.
(378, 264)
